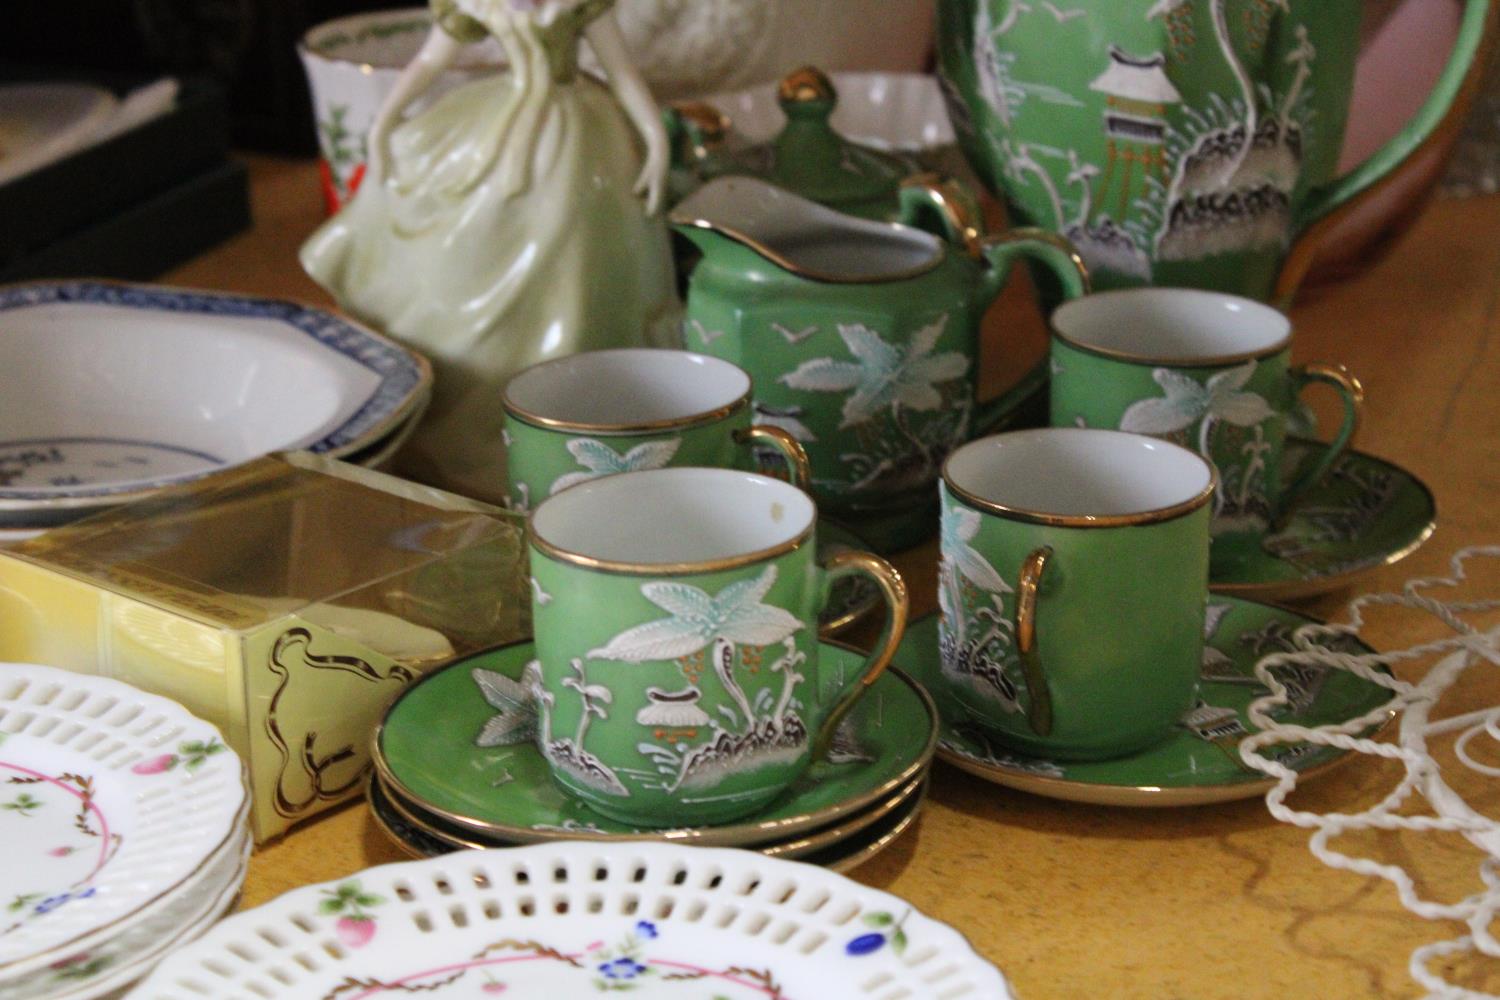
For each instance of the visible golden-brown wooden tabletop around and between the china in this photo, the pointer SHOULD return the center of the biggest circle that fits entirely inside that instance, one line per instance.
(1208, 902)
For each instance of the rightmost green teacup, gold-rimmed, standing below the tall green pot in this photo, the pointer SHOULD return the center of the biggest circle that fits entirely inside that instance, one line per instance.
(1207, 371)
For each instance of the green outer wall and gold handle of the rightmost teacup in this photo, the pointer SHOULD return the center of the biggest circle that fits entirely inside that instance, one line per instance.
(1235, 416)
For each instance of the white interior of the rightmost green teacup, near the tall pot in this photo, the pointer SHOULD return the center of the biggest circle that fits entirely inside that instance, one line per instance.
(1177, 325)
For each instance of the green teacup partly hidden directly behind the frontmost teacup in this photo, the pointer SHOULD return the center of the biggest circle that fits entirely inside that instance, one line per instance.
(601, 413)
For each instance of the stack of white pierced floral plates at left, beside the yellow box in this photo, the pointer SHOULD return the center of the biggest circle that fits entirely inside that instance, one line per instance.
(124, 822)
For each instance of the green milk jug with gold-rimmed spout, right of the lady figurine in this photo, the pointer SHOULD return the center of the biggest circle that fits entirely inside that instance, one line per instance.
(862, 338)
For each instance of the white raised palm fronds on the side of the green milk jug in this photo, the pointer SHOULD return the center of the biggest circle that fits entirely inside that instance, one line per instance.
(883, 376)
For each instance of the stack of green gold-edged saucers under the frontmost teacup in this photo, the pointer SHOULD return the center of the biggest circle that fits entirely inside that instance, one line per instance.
(443, 783)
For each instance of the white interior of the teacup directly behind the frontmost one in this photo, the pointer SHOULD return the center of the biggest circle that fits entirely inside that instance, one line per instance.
(626, 389)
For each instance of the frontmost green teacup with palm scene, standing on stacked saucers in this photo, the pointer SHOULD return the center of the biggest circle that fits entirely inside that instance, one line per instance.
(677, 642)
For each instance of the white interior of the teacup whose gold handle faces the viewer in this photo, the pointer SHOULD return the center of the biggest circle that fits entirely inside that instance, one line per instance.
(1076, 473)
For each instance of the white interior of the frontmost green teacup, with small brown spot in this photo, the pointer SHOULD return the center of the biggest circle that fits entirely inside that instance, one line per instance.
(674, 516)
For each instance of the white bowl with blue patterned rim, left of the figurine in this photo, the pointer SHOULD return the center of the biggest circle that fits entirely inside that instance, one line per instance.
(110, 392)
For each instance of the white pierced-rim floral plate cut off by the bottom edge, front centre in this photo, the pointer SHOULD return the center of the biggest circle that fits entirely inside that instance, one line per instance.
(572, 920)
